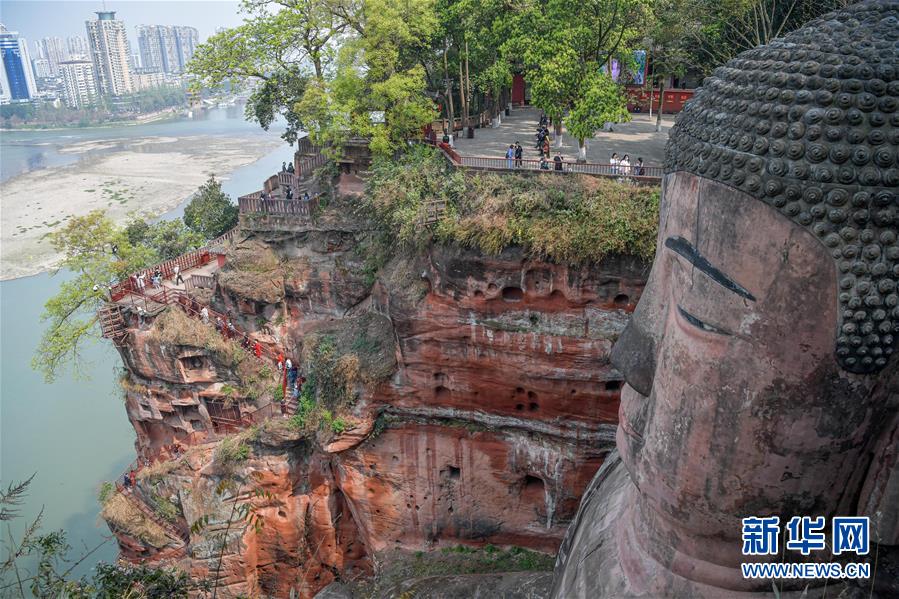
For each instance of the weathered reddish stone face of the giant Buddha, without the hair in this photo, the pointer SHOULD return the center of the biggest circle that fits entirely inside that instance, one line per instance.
(735, 403)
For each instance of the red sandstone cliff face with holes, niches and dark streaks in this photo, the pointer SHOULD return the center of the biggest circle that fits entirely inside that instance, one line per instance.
(485, 405)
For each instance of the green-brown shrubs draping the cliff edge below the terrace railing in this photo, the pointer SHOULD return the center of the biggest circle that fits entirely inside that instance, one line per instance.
(570, 218)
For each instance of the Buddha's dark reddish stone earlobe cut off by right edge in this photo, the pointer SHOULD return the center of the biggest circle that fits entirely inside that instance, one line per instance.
(879, 499)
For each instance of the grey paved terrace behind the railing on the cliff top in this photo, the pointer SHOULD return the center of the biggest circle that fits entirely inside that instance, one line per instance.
(637, 138)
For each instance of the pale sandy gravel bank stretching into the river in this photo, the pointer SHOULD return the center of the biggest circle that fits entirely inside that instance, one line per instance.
(138, 175)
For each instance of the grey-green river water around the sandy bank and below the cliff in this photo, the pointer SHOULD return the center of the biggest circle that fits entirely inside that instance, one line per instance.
(74, 433)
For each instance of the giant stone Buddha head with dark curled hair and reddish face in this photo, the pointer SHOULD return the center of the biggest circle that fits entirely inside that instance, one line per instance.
(761, 361)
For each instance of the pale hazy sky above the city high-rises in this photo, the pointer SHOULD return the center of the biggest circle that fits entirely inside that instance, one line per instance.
(34, 19)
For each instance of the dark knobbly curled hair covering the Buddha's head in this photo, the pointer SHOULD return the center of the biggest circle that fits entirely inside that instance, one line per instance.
(810, 125)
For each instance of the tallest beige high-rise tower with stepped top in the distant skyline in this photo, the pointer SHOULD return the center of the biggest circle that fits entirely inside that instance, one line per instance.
(109, 50)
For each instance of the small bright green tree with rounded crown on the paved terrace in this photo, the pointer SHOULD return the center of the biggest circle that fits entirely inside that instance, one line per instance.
(600, 100)
